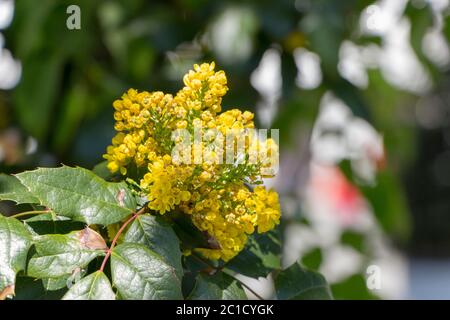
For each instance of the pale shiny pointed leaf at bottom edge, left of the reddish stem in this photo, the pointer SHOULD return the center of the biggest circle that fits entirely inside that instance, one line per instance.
(94, 287)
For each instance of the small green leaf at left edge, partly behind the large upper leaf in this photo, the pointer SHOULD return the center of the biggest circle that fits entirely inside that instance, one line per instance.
(11, 189)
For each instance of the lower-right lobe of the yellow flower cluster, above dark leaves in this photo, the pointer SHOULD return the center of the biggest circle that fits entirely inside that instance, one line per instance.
(231, 214)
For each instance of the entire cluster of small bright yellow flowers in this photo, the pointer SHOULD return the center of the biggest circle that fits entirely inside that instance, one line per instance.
(216, 195)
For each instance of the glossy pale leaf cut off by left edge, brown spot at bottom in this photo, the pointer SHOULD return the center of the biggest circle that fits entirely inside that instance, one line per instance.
(14, 244)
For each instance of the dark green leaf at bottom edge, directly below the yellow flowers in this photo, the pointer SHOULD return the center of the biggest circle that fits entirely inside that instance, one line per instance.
(219, 286)
